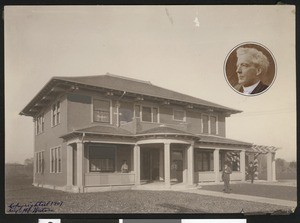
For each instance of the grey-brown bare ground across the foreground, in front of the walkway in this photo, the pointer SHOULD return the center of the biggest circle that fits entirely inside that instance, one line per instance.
(131, 201)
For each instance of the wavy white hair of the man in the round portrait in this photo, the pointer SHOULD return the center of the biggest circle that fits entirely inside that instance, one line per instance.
(257, 57)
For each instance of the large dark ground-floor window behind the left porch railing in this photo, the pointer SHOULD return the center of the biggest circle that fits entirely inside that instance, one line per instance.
(102, 158)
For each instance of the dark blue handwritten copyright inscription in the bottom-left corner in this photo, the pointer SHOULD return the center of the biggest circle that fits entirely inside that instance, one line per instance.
(34, 207)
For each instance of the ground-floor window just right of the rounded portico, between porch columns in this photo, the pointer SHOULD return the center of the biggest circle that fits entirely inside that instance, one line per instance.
(204, 160)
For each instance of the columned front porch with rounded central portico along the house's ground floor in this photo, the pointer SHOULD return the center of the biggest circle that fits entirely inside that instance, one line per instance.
(163, 161)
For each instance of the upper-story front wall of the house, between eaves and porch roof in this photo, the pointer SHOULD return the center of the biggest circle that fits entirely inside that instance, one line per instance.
(80, 111)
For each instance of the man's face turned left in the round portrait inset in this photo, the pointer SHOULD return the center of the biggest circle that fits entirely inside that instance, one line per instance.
(246, 71)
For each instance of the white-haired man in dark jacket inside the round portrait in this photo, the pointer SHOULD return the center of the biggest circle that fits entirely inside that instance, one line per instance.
(251, 65)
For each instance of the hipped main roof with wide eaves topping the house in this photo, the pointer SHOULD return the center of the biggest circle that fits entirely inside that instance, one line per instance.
(124, 84)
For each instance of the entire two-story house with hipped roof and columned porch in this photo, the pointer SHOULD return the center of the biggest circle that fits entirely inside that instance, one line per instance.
(87, 127)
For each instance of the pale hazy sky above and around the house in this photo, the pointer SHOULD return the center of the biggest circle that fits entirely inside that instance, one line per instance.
(181, 48)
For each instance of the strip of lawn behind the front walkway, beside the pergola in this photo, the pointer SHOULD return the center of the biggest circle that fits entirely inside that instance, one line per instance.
(261, 190)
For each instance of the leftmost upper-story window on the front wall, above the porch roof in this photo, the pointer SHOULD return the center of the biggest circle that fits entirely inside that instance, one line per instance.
(101, 111)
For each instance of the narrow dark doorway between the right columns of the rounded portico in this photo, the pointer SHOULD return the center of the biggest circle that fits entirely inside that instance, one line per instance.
(177, 166)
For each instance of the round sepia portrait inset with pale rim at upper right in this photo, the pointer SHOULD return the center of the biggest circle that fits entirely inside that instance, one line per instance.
(250, 69)
